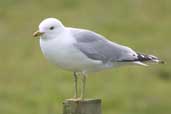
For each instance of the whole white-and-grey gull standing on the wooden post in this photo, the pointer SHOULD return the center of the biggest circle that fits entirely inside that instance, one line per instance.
(83, 51)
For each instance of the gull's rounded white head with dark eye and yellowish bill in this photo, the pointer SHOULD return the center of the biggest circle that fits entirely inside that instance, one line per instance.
(49, 28)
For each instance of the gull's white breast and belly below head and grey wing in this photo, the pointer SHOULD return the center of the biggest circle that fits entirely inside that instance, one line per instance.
(68, 57)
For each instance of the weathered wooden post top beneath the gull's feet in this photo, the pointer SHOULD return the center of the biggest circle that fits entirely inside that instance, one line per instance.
(88, 106)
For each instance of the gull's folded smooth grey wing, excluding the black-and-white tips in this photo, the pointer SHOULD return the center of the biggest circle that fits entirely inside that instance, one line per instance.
(96, 47)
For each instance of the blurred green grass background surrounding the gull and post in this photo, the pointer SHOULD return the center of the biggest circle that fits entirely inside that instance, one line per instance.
(30, 85)
